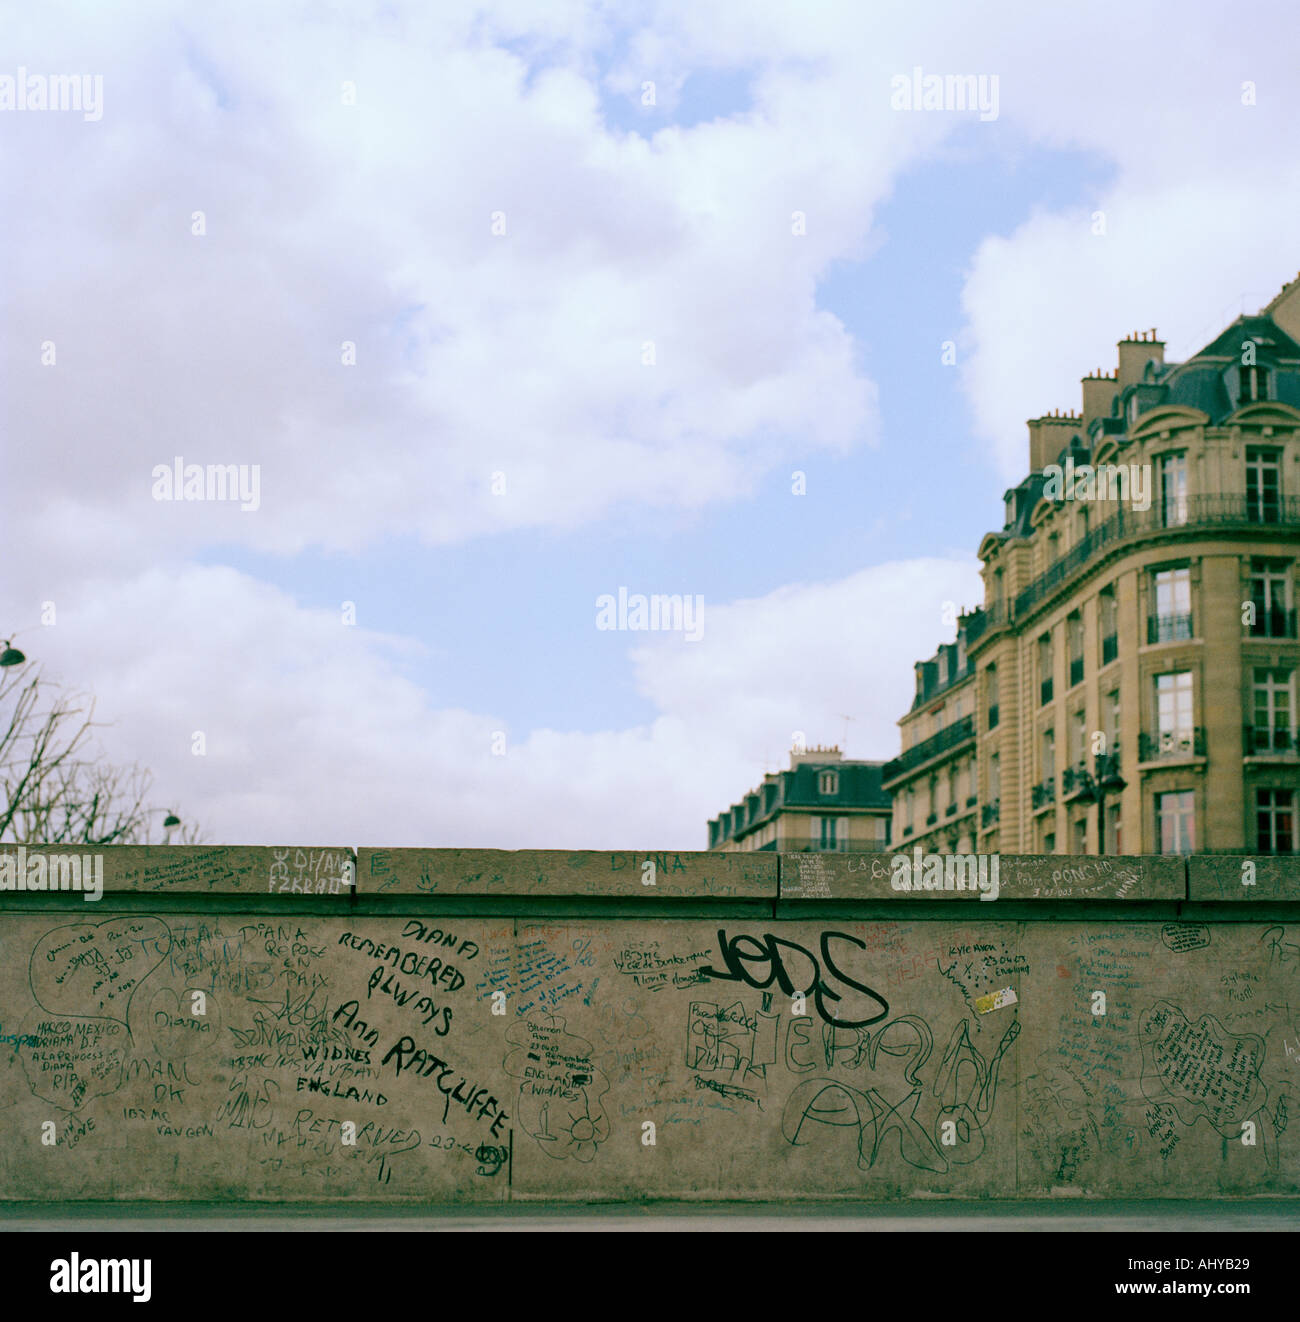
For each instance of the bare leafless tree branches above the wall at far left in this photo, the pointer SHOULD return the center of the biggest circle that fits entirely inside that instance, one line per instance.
(56, 785)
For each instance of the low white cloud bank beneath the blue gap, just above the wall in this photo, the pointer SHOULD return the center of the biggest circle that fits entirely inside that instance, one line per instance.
(314, 736)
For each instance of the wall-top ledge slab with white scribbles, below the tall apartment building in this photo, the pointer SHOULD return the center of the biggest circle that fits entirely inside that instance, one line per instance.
(1010, 877)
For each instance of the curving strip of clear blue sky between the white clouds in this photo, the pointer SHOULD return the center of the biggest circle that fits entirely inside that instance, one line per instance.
(532, 594)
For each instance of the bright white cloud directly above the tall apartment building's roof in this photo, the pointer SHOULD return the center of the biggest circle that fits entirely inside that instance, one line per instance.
(1151, 269)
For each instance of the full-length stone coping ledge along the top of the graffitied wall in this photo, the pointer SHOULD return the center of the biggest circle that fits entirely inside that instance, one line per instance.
(304, 872)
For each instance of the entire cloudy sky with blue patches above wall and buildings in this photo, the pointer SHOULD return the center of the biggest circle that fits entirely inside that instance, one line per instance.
(370, 219)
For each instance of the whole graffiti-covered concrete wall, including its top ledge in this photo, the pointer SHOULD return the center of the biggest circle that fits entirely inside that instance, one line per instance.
(782, 1028)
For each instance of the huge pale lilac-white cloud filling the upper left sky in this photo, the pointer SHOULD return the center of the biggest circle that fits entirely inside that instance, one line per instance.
(477, 352)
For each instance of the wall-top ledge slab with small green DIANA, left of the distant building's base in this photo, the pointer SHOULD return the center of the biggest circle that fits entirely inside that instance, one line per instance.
(667, 875)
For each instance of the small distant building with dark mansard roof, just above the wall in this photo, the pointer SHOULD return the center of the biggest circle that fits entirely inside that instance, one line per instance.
(823, 802)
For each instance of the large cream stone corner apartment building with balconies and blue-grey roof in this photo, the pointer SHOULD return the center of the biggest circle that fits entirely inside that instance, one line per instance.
(1129, 684)
